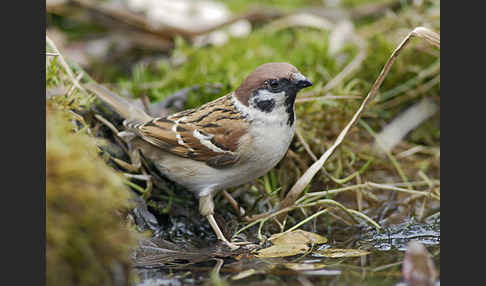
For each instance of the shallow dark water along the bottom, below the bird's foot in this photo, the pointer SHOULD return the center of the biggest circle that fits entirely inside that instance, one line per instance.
(176, 264)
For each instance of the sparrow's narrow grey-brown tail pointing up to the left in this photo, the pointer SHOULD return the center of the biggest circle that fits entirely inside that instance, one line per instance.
(122, 106)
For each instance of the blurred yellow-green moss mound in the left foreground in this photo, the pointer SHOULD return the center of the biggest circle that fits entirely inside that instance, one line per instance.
(86, 237)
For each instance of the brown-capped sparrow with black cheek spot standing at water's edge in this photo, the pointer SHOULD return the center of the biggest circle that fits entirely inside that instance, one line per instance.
(224, 143)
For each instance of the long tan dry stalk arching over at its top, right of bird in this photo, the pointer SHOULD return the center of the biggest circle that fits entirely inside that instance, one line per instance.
(421, 32)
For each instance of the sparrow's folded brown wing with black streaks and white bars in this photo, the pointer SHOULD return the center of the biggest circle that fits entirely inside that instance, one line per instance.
(218, 119)
